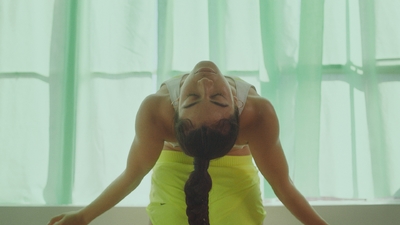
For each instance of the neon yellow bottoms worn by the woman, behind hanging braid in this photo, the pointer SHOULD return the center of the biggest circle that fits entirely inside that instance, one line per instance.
(235, 197)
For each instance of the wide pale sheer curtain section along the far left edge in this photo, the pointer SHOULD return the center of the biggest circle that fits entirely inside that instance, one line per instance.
(24, 106)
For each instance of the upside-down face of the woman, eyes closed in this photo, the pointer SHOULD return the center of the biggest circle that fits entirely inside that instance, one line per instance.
(206, 96)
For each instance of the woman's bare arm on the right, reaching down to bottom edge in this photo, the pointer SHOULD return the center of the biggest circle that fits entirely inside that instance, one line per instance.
(263, 138)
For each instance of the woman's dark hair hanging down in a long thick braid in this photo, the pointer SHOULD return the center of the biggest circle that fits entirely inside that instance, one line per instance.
(203, 144)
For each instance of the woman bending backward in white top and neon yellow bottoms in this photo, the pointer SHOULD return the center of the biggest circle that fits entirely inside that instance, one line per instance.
(220, 124)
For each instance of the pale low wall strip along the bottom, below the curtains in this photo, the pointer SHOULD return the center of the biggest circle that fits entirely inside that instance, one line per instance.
(276, 215)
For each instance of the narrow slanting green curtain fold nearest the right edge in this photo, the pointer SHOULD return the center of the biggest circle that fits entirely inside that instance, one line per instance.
(374, 100)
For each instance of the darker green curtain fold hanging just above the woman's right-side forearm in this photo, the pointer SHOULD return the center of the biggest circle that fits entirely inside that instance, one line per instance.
(308, 98)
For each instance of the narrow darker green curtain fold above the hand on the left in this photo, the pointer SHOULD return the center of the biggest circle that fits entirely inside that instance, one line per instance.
(62, 103)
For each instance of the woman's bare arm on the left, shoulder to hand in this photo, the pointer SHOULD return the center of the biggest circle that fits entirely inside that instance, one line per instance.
(145, 150)
